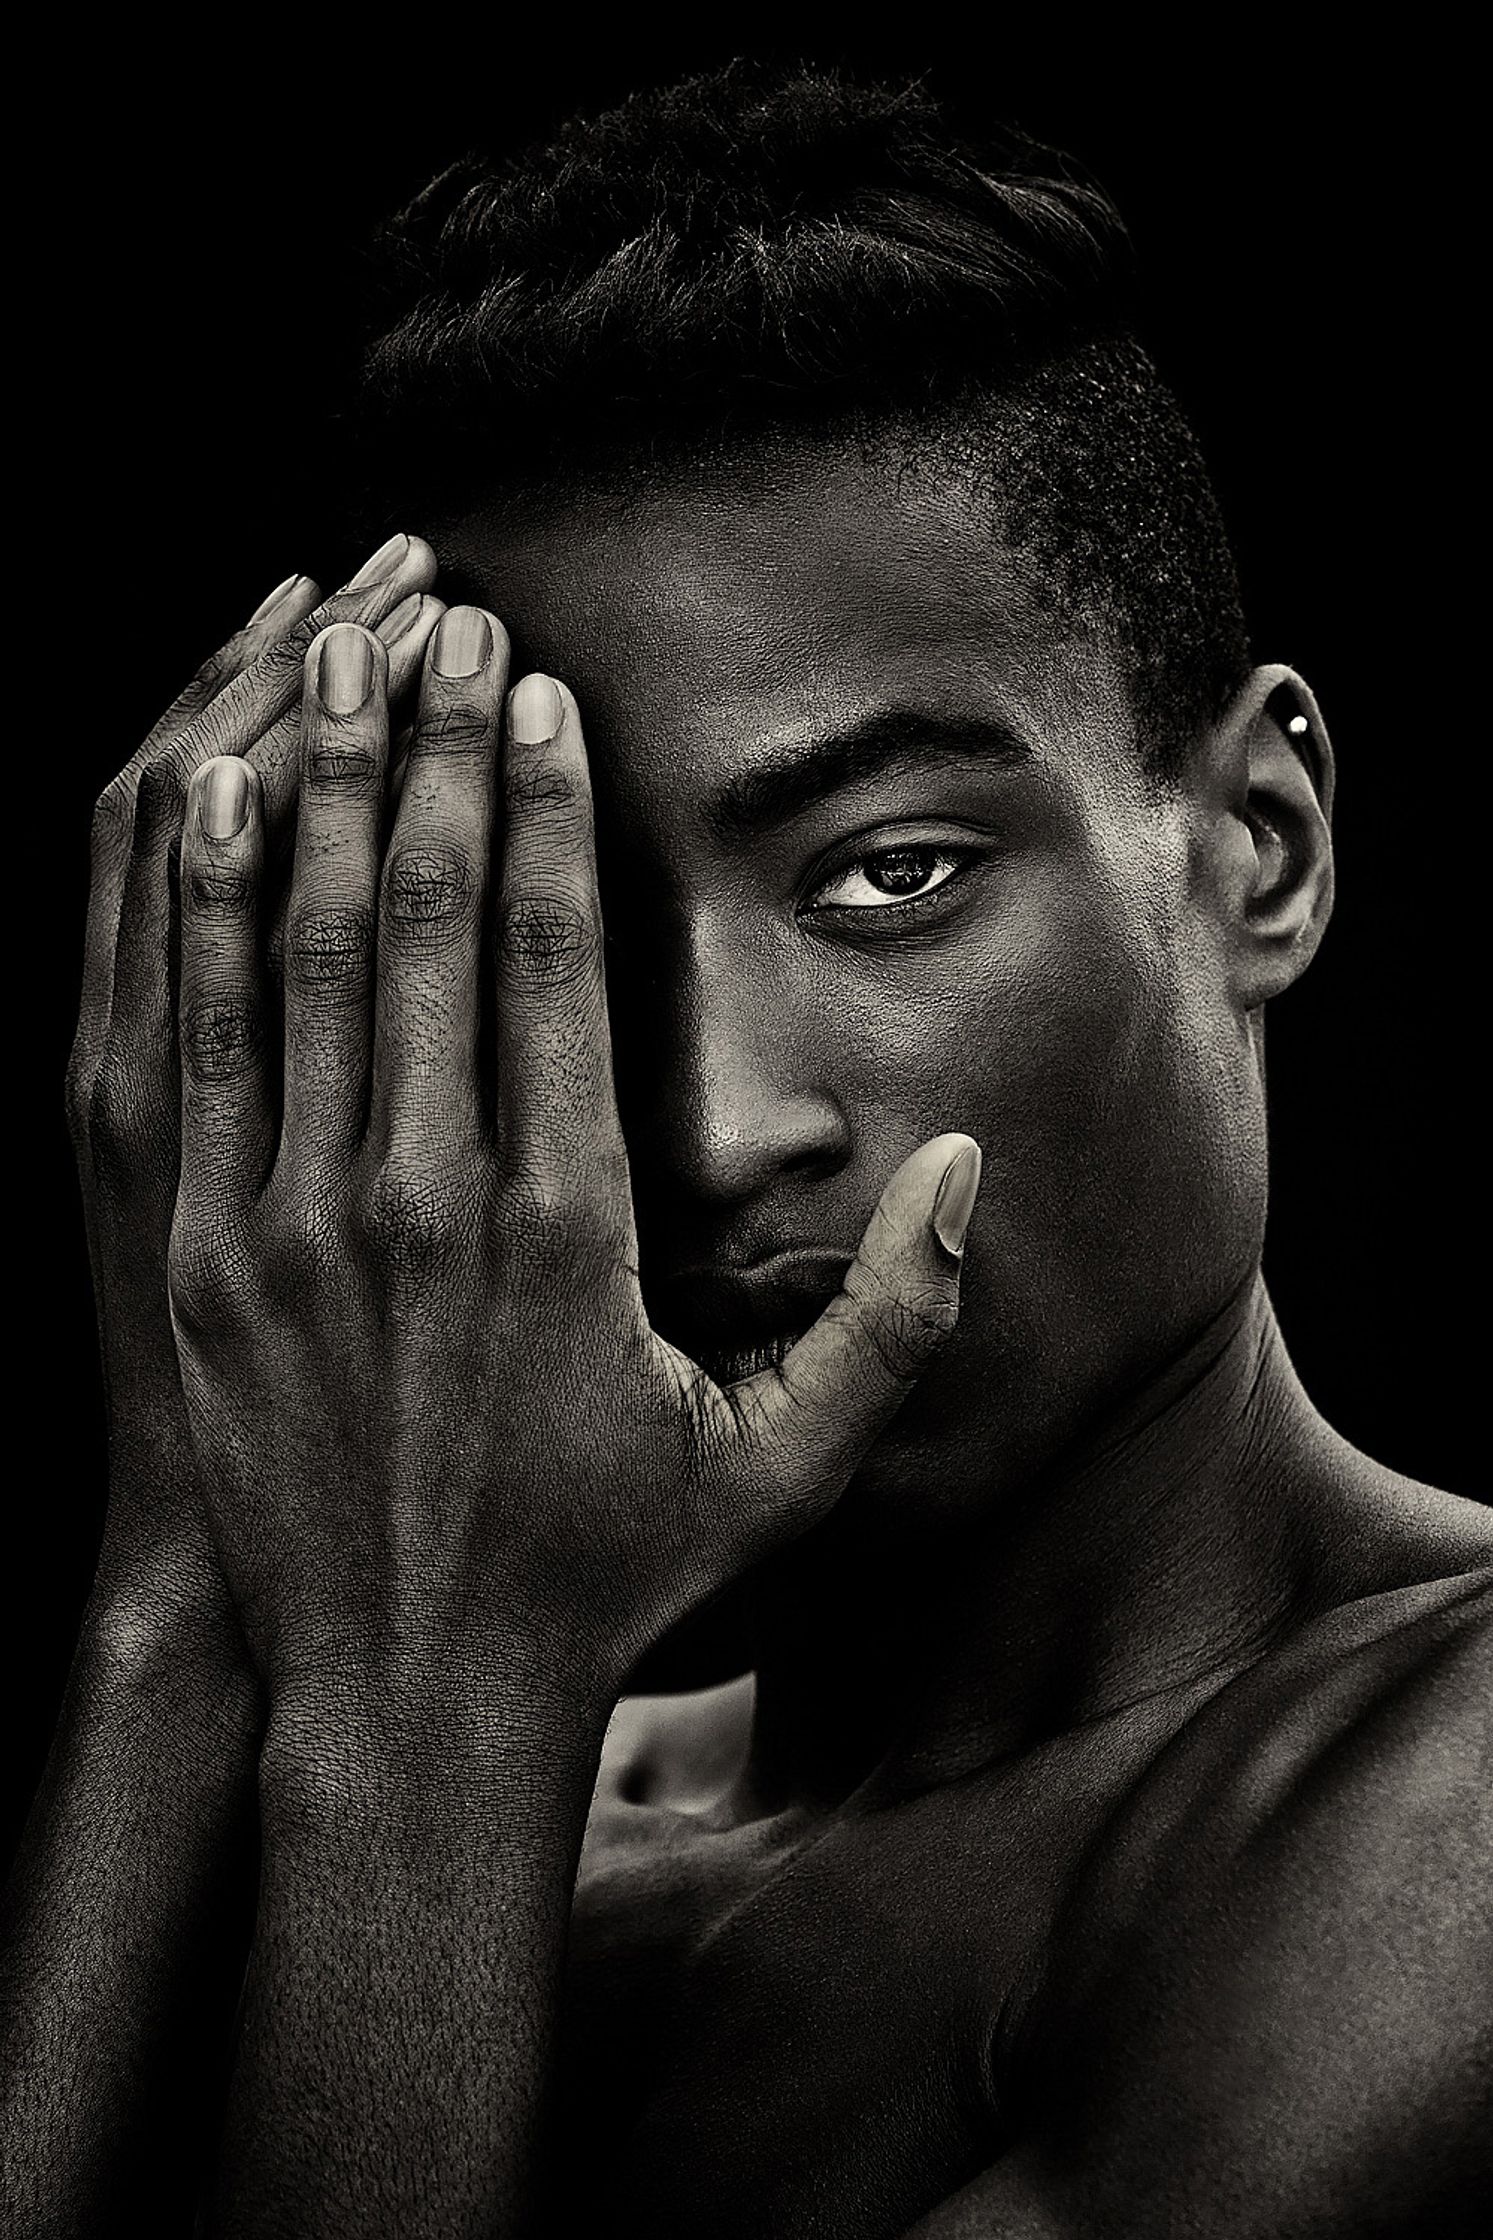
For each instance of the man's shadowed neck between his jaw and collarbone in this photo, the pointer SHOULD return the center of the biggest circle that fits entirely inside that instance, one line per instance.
(1179, 1540)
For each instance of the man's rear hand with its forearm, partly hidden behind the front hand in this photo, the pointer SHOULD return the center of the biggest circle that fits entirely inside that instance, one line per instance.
(133, 1896)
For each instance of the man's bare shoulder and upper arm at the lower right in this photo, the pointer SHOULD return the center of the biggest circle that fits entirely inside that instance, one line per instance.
(1270, 1986)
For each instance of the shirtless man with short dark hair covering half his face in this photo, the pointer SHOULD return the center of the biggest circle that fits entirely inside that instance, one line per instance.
(767, 1094)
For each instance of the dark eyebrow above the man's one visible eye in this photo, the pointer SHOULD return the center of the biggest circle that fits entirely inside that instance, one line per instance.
(776, 792)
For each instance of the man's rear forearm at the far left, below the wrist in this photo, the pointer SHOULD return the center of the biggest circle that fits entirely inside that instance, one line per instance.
(129, 1910)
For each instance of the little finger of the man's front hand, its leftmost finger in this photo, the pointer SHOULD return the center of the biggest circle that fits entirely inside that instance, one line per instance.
(225, 1099)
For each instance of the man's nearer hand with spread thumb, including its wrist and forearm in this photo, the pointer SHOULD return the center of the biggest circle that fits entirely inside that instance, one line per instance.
(467, 1282)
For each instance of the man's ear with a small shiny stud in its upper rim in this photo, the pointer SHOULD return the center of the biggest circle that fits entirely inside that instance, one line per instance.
(1264, 846)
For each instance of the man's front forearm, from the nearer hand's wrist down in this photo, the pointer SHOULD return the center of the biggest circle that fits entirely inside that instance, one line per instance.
(402, 2006)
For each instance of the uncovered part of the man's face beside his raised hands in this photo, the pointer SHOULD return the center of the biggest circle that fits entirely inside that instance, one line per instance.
(879, 861)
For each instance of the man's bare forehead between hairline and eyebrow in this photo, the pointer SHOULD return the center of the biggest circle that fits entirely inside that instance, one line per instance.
(782, 599)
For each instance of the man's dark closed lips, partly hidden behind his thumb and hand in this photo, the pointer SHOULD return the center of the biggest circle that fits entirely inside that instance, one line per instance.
(742, 1320)
